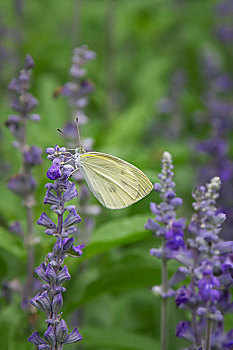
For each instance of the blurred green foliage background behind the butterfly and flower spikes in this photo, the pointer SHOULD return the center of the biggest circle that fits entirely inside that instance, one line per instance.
(141, 46)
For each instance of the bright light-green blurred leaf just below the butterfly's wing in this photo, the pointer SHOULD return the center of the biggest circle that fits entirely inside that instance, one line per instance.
(117, 232)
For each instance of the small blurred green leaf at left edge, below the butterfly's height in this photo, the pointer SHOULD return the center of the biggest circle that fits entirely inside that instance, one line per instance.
(11, 244)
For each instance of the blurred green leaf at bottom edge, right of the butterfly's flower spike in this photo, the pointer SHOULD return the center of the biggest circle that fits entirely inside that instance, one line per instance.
(116, 339)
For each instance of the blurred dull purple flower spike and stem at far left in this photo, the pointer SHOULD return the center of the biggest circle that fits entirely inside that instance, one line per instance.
(23, 184)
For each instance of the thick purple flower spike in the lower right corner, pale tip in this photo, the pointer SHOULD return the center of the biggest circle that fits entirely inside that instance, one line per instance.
(205, 258)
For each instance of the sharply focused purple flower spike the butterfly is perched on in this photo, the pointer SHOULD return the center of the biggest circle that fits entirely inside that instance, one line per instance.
(53, 272)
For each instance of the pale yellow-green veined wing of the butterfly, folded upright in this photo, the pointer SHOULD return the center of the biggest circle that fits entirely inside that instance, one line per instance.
(114, 182)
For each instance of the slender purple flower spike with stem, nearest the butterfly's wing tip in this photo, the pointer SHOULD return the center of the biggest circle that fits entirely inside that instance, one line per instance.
(170, 229)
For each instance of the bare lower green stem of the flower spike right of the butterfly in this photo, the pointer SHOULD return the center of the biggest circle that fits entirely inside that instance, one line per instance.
(164, 307)
